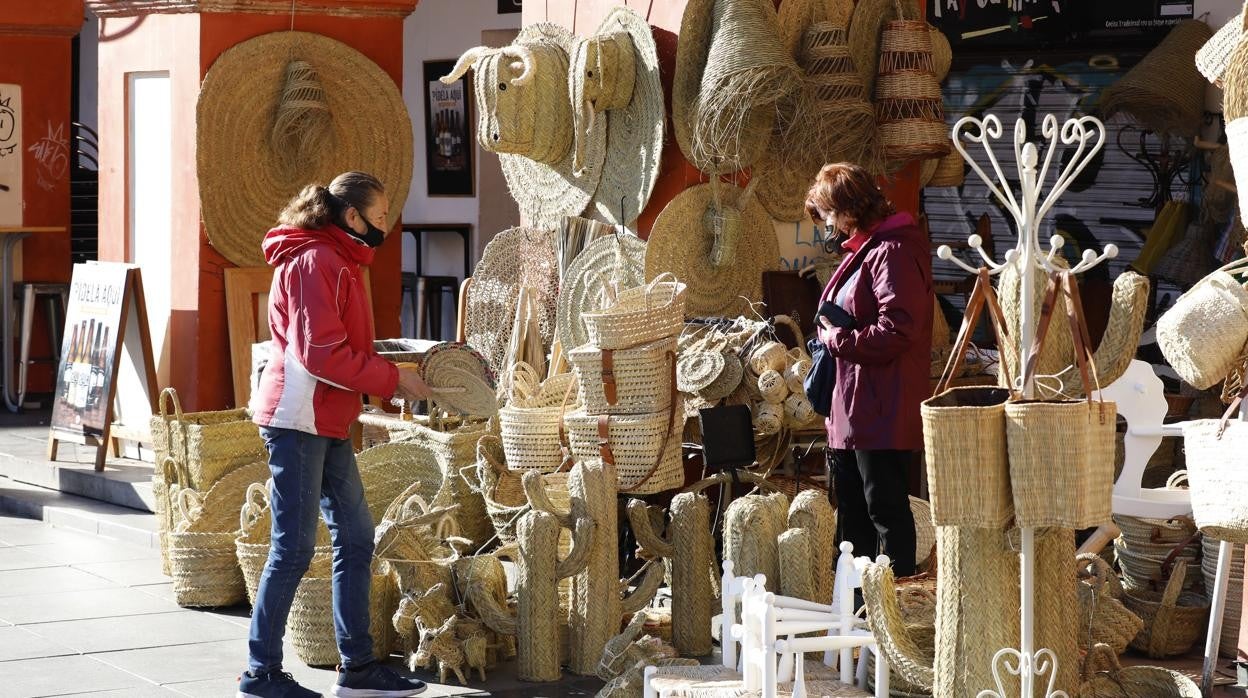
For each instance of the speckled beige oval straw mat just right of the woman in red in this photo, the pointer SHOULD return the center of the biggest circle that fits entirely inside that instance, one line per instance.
(516, 258)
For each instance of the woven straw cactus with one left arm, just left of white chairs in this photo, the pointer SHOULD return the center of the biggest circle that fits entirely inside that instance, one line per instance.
(691, 551)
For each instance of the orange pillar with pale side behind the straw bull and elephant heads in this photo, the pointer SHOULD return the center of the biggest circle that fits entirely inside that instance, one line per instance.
(582, 17)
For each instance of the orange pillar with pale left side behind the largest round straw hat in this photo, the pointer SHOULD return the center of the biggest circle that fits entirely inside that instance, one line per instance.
(187, 46)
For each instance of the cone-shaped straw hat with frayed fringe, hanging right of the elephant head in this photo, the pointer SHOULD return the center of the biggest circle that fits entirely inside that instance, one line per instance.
(732, 72)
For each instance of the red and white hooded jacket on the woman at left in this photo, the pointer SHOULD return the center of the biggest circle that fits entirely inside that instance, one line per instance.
(323, 356)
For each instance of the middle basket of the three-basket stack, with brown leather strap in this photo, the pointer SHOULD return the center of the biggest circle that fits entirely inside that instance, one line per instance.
(633, 381)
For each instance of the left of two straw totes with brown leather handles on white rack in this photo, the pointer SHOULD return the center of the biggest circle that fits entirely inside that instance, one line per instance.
(965, 433)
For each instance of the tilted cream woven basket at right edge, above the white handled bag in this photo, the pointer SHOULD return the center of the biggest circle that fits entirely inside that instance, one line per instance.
(1206, 329)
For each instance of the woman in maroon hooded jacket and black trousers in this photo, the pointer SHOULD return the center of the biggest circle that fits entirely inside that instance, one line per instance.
(880, 338)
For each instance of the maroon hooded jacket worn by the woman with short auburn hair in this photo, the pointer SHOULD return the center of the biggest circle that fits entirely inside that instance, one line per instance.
(883, 366)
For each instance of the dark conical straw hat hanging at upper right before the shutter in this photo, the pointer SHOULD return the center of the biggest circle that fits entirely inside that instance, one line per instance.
(1165, 92)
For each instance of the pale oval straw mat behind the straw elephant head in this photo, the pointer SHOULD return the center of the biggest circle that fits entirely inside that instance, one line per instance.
(635, 133)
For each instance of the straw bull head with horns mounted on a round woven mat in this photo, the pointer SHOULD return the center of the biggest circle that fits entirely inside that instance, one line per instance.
(526, 118)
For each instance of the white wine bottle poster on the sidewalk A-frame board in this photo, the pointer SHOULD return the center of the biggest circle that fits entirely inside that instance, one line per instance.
(92, 338)
